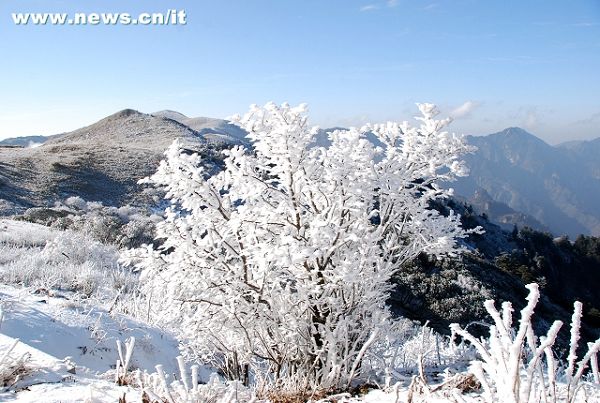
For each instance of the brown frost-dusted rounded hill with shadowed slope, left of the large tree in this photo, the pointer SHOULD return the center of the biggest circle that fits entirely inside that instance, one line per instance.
(100, 162)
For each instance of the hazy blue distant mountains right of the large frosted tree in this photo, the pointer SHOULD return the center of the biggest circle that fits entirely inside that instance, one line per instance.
(557, 186)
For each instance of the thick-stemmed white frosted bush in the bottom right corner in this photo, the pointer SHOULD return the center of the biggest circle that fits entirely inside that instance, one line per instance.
(515, 366)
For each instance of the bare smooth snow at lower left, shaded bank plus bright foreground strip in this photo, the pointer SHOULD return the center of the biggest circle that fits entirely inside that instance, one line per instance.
(72, 347)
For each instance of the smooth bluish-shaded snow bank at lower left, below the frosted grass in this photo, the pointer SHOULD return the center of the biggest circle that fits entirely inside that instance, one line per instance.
(60, 326)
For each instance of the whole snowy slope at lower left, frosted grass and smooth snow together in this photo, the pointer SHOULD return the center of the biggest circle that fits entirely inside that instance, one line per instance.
(69, 336)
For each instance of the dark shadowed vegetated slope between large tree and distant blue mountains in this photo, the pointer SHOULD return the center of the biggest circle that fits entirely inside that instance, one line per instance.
(497, 266)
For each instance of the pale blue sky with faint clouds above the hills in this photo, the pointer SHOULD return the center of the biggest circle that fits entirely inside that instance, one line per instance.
(491, 64)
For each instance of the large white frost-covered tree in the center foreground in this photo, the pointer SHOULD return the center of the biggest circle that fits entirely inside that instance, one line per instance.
(276, 269)
